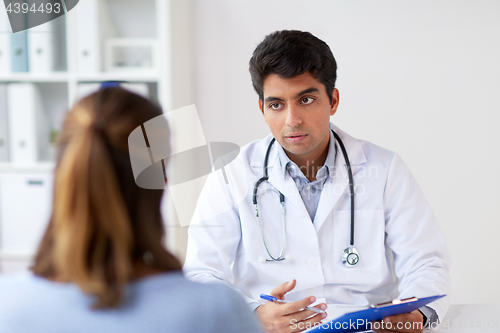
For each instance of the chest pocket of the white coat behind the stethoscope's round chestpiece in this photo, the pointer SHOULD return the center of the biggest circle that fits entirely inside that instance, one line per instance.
(369, 237)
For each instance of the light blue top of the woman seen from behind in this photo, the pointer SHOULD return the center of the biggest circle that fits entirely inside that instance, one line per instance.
(161, 303)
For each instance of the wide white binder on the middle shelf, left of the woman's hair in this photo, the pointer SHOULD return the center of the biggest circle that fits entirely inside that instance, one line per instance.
(28, 130)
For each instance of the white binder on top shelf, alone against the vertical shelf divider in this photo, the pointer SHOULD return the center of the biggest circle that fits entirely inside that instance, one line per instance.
(92, 27)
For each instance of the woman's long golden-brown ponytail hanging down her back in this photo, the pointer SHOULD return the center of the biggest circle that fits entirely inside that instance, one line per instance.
(94, 235)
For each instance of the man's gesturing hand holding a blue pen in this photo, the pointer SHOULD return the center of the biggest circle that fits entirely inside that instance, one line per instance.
(279, 317)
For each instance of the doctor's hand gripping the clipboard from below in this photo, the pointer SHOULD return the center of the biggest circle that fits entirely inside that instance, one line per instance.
(412, 322)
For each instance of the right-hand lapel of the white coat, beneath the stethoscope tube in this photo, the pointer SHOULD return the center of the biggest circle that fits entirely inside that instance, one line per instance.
(337, 186)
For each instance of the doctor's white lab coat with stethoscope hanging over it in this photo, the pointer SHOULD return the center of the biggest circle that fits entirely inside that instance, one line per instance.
(402, 249)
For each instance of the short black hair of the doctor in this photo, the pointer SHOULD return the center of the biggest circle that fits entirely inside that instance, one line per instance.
(289, 53)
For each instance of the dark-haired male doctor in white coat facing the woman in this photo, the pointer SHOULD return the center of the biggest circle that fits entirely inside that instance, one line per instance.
(400, 249)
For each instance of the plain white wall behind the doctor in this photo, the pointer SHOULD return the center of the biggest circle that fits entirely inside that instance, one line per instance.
(418, 77)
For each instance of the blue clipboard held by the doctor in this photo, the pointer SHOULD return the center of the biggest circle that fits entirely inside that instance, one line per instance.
(359, 321)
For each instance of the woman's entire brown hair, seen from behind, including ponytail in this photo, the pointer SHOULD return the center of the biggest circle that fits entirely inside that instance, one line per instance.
(102, 223)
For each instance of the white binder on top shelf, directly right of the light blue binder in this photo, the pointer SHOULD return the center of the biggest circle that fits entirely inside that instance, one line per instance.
(41, 48)
